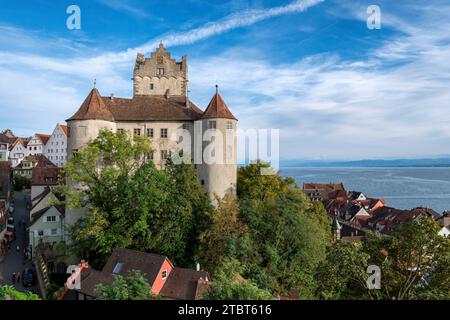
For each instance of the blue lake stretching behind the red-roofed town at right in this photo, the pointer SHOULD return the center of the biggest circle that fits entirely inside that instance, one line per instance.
(402, 188)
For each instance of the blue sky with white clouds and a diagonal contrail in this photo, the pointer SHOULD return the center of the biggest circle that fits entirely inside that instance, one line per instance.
(311, 68)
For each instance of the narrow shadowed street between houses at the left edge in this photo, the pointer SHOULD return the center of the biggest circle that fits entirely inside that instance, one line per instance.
(14, 261)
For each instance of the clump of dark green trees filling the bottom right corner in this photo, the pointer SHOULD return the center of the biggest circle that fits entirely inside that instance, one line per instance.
(414, 262)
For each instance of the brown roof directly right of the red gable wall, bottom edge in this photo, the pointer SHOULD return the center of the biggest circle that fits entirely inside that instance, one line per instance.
(183, 284)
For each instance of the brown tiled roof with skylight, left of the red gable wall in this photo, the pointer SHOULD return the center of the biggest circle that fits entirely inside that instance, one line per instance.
(148, 263)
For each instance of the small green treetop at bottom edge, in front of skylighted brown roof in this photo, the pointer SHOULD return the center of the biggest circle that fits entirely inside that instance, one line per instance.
(132, 287)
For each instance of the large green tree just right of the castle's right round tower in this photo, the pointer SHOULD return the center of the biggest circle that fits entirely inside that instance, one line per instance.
(287, 234)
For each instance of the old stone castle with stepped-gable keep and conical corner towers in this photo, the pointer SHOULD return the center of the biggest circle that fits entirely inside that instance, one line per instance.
(159, 108)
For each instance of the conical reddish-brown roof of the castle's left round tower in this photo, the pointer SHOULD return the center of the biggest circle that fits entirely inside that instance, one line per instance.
(93, 108)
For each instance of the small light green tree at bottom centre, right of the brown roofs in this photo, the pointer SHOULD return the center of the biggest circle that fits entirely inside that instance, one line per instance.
(230, 285)
